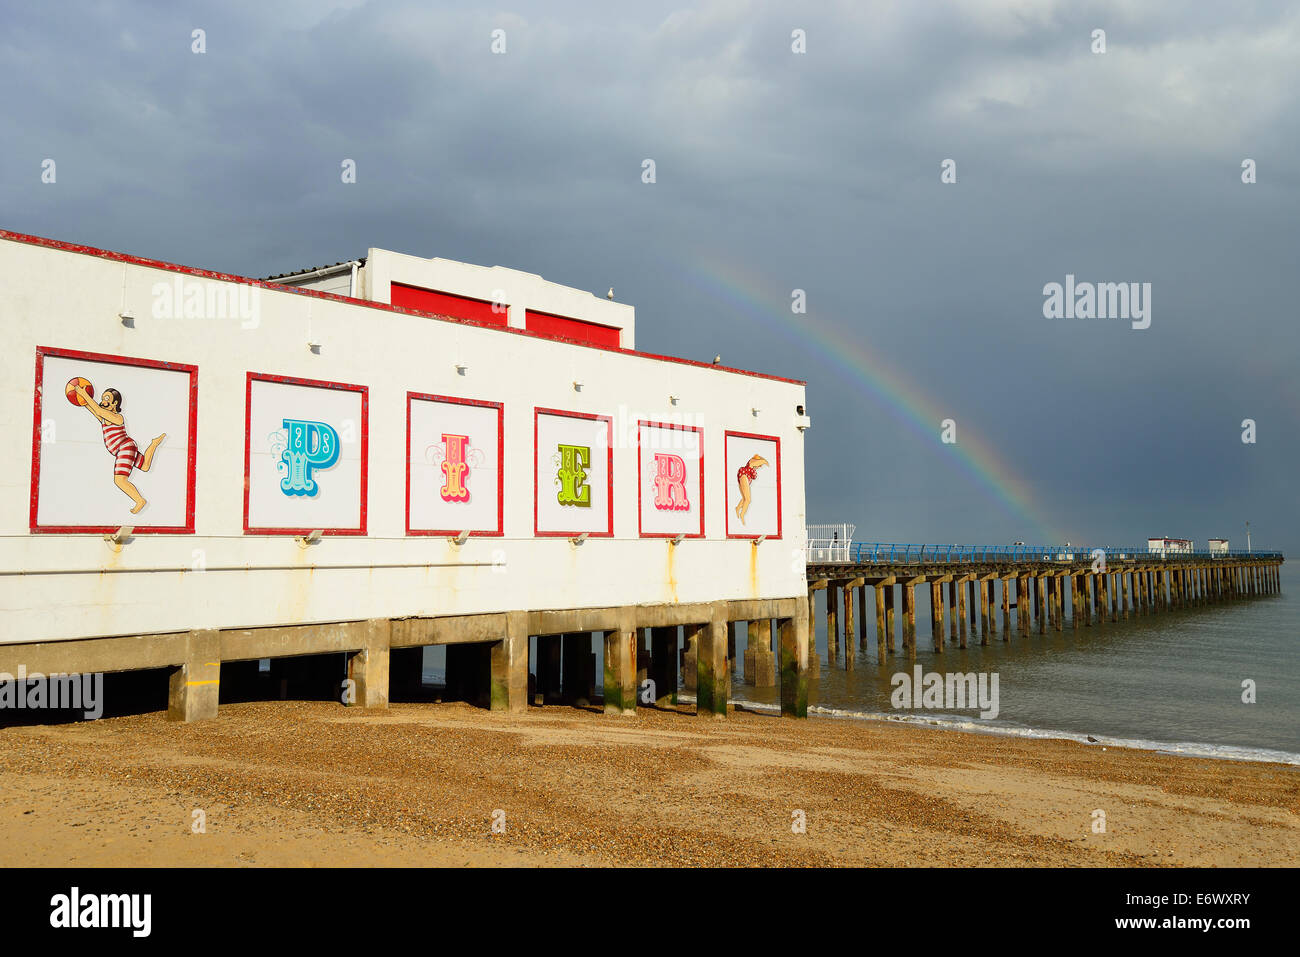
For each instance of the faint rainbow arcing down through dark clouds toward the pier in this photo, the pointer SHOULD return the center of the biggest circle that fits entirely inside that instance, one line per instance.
(874, 378)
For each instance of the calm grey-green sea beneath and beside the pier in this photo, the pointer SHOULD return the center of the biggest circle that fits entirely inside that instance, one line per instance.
(1220, 681)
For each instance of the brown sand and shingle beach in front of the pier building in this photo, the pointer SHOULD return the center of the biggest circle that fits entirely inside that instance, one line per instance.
(317, 785)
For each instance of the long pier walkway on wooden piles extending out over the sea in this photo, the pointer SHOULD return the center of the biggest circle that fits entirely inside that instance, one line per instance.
(1038, 588)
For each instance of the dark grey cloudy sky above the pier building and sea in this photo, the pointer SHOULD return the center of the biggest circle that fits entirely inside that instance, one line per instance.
(775, 171)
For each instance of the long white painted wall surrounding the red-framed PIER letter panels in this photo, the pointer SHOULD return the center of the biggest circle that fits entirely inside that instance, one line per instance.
(70, 301)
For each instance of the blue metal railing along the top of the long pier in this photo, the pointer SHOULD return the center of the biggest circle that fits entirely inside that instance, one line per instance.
(916, 553)
